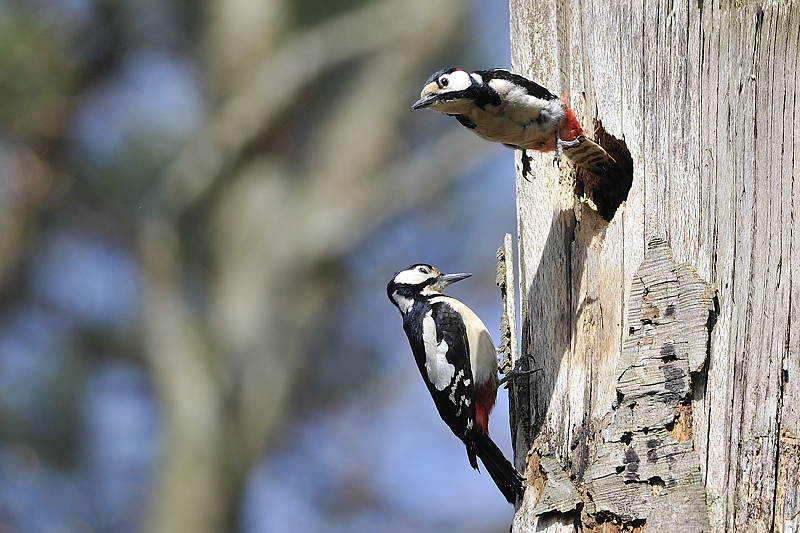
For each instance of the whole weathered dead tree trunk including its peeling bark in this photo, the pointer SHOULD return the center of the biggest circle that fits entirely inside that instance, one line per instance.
(668, 326)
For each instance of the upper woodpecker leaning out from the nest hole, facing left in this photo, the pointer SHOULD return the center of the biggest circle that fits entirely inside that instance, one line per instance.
(506, 108)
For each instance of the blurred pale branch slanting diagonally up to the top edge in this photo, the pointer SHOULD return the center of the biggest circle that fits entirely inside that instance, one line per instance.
(277, 79)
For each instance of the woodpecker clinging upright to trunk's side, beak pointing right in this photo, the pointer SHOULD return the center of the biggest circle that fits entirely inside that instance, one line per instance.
(458, 362)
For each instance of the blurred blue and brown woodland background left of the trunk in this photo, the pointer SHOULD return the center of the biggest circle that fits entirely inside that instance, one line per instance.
(201, 204)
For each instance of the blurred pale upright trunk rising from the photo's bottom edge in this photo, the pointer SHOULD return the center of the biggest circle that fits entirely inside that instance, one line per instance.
(190, 473)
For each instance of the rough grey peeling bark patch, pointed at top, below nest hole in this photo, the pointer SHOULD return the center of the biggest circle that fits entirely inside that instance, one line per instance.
(642, 473)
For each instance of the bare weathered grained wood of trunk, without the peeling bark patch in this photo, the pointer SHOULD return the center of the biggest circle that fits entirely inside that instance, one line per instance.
(705, 95)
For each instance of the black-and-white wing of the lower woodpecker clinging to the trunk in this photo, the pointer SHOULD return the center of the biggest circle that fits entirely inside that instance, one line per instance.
(445, 367)
